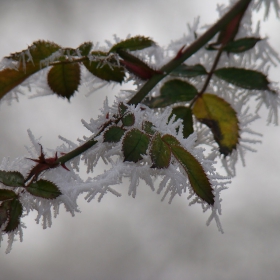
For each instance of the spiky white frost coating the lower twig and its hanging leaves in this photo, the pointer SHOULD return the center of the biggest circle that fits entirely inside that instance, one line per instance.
(174, 180)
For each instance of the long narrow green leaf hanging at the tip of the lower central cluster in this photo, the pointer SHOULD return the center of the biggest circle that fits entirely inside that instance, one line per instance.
(197, 177)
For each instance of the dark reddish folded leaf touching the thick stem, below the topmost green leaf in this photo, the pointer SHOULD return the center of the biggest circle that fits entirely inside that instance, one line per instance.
(136, 66)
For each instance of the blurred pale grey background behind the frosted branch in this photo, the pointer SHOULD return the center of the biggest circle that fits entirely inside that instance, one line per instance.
(142, 238)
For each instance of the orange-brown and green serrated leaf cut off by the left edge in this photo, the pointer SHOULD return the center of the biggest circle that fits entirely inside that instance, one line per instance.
(11, 78)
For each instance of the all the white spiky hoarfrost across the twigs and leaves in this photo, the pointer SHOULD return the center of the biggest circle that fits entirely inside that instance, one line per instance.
(174, 180)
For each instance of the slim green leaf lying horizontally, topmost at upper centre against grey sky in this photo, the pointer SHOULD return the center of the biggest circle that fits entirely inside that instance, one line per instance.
(133, 44)
